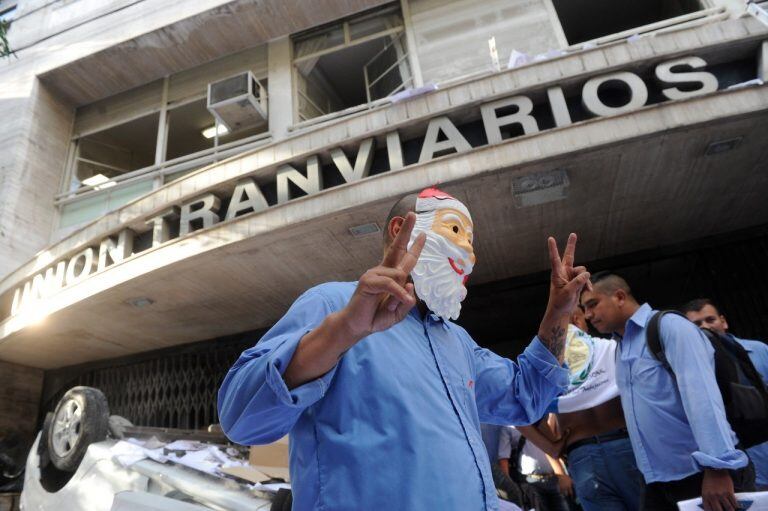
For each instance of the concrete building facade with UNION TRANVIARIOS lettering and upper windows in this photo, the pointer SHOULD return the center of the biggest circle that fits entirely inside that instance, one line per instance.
(179, 172)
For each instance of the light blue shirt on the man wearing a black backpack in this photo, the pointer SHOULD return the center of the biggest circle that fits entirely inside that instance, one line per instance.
(677, 425)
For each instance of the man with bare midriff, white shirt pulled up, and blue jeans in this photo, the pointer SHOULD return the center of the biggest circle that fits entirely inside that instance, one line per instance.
(594, 439)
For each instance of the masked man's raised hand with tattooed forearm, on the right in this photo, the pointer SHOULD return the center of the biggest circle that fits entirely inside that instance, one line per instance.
(565, 286)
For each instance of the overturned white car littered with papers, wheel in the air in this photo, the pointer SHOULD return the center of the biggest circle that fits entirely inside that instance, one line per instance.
(84, 460)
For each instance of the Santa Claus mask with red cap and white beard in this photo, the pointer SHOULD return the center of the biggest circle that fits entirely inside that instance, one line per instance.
(447, 258)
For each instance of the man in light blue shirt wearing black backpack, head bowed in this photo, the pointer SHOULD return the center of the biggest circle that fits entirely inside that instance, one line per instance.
(682, 442)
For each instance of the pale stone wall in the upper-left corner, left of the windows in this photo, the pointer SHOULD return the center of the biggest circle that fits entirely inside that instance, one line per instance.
(36, 125)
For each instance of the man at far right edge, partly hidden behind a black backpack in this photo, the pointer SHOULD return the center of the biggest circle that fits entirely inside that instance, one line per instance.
(705, 314)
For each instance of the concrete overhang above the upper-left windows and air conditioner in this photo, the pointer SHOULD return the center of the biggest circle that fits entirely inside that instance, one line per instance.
(189, 42)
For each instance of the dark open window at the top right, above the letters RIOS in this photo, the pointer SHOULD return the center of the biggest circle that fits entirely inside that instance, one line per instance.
(614, 16)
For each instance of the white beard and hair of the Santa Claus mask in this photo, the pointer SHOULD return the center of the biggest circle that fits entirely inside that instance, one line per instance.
(434, 280)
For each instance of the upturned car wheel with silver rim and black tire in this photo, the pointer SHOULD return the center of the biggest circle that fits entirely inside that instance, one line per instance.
(80, 419)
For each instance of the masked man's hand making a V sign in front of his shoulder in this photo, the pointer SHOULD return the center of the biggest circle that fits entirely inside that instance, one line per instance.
(384, 296)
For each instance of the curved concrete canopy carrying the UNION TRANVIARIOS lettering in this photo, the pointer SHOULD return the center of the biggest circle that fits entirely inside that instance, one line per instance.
(637, 181)
